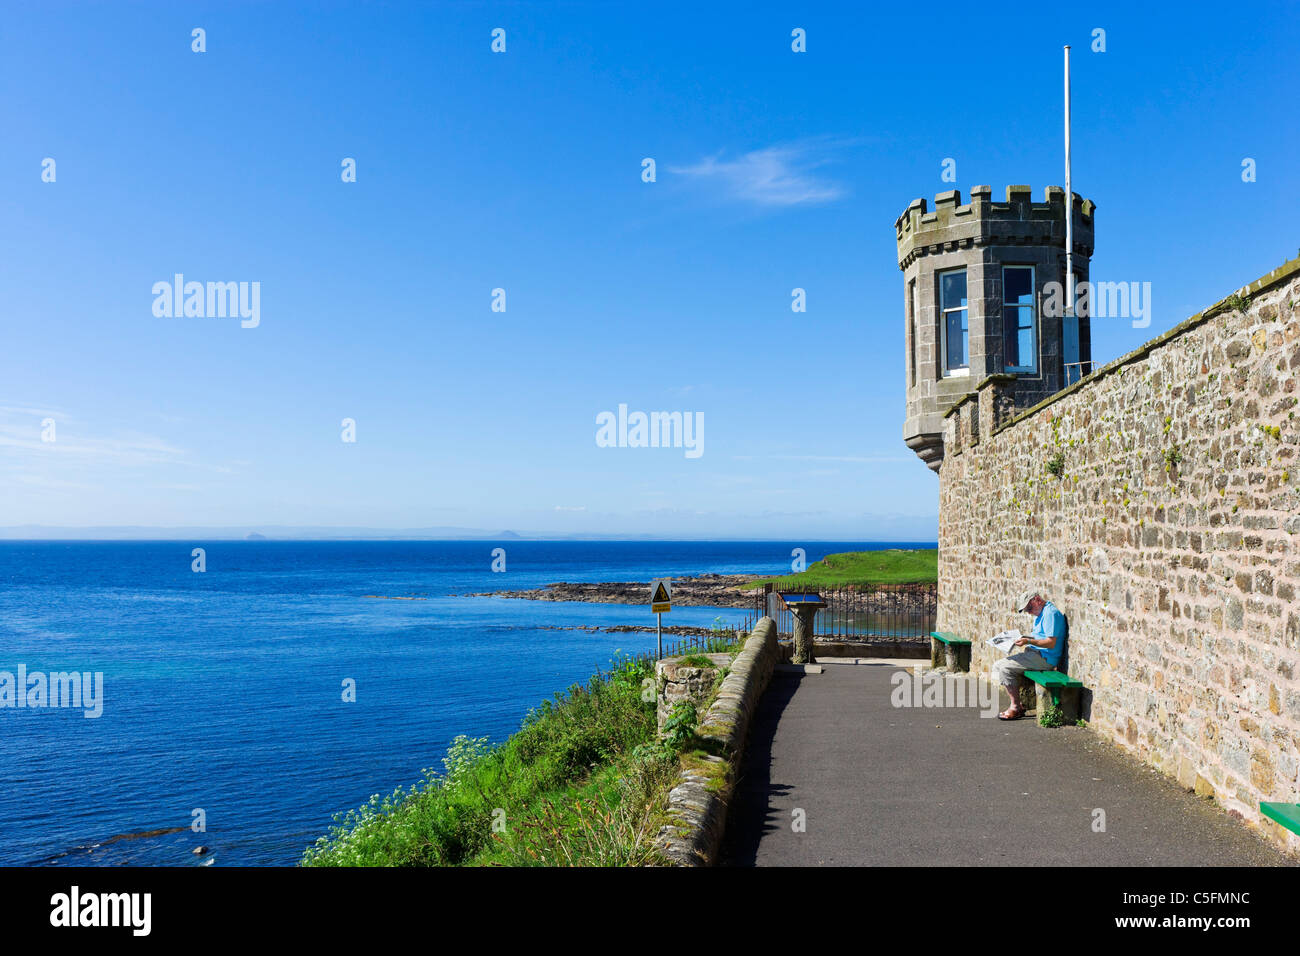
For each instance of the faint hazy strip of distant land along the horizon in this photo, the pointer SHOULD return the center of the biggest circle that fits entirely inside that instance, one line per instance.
(40, 533)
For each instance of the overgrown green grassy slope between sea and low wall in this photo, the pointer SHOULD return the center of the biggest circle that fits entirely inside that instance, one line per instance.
(584, 782)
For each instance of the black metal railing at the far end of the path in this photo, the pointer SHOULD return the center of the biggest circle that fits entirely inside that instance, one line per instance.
(902, 612)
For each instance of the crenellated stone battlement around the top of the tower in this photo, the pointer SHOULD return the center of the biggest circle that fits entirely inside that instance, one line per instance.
(952, 226)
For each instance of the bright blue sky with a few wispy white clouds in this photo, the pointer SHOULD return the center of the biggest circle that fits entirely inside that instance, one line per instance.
(523, 171)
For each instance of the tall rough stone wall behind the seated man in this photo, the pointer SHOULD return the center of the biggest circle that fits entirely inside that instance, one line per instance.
(1171, 539)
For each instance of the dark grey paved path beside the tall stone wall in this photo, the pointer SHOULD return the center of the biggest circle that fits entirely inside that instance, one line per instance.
(921, 786)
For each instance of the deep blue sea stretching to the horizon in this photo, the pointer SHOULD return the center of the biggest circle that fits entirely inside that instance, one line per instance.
(245, 706)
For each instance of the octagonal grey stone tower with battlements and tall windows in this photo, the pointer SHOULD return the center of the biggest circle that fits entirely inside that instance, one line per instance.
(983, 289)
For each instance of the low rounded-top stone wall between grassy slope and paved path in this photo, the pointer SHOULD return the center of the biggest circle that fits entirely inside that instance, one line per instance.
(697, 806)
